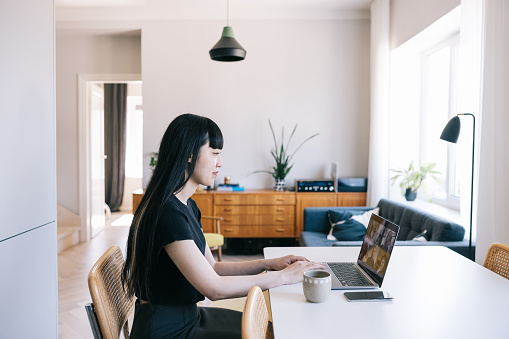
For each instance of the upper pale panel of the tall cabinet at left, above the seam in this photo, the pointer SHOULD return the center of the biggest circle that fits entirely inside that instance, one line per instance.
(27, 128)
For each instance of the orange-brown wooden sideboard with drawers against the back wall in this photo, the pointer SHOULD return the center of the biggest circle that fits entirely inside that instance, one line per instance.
(262, 213)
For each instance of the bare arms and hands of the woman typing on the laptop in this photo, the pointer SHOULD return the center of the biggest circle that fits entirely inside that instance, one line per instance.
(201, 274)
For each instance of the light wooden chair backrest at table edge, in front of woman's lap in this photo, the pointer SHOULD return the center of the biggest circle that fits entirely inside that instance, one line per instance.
(255, 318)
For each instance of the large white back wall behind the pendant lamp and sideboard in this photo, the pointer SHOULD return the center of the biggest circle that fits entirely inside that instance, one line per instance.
(314, 73)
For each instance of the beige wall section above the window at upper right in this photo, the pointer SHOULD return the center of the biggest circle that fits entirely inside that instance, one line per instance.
(409, 17)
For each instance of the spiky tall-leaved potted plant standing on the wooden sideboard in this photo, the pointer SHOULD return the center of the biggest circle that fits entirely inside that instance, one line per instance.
(282, 157)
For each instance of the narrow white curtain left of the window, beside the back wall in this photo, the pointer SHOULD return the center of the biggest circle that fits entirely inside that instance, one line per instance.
(378, 171)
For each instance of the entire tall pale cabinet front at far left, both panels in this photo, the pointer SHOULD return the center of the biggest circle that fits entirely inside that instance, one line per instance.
(28, 239)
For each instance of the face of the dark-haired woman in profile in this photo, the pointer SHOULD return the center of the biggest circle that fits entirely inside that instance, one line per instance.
(207, 166)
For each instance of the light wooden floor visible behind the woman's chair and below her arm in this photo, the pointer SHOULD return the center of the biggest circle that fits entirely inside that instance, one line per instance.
(73, 267)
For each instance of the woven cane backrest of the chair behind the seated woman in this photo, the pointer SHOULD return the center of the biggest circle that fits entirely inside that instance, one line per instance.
(112, 305)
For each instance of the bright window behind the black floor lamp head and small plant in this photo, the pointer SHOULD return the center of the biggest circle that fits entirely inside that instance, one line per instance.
(438, 105)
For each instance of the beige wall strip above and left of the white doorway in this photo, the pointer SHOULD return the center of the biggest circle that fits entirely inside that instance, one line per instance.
(83, 53)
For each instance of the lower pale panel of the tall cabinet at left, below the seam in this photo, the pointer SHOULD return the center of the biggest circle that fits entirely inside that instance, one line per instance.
(28, 285)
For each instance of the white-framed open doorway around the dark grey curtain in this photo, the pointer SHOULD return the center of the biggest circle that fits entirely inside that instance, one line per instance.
(93, 210)
